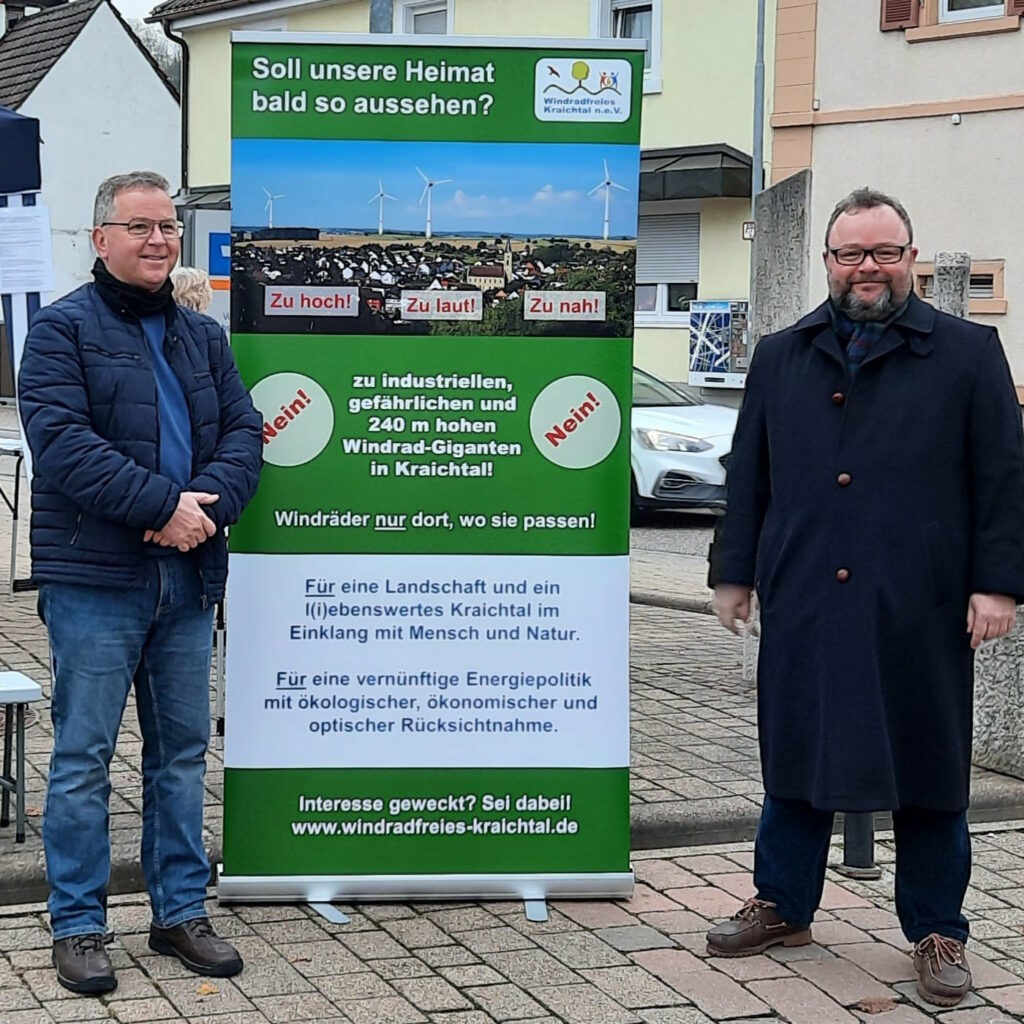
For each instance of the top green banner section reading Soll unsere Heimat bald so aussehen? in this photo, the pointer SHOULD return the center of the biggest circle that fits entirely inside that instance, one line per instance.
(466, 94)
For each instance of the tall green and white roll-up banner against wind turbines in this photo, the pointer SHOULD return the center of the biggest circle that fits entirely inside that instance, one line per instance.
(433, 267)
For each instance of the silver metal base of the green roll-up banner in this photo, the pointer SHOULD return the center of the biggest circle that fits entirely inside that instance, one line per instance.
(350, 888)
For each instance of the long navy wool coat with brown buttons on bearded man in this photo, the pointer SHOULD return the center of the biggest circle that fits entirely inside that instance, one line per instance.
(866, 510)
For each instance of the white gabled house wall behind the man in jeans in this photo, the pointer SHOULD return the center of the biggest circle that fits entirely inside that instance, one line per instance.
(103, 110)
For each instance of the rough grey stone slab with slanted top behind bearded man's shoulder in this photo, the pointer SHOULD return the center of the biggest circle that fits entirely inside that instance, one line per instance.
(782, 255)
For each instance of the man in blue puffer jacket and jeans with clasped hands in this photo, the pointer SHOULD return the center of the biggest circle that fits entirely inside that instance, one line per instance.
(145, 446)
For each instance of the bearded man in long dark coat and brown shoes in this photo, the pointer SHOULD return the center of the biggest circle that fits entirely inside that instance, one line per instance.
(876, 504)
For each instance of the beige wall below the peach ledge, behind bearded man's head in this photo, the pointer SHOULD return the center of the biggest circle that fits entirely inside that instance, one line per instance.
(961, 186)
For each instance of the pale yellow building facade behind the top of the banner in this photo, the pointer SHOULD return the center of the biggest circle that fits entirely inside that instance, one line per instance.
(698, 122)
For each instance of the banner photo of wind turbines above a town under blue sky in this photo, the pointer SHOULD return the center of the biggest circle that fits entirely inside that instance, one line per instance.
(501, 220)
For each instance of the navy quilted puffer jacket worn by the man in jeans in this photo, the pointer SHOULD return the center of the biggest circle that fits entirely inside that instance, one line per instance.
(89, 401)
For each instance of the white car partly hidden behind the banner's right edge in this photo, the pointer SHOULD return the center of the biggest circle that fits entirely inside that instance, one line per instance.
(679, 447)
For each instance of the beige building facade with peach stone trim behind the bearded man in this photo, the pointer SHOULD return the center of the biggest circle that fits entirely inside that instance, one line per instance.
(924, 100)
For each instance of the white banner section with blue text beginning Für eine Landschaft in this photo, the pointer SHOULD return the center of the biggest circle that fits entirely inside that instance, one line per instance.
(428, 661)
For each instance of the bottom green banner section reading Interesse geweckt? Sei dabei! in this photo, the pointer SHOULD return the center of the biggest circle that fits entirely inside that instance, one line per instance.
(435, 822)
